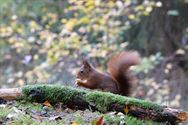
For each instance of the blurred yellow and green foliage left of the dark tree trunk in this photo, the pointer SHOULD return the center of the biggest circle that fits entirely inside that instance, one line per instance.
(38, 39)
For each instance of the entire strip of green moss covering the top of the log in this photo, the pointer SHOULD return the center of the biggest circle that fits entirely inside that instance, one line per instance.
(101, 100)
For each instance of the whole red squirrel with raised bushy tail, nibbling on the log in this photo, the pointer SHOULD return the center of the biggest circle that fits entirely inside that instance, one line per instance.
(118, 80)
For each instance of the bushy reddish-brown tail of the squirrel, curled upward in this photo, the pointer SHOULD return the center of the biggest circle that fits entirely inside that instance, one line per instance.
(118, 67)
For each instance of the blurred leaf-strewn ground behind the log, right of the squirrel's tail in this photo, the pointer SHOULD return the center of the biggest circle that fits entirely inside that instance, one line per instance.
(166, 83)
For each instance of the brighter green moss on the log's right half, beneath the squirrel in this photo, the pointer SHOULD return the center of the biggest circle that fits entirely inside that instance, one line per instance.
(103, 99)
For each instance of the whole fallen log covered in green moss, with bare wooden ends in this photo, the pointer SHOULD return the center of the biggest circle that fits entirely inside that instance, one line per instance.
(96, 101)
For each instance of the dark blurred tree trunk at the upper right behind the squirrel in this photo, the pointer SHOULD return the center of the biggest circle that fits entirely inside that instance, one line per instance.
(161, 31)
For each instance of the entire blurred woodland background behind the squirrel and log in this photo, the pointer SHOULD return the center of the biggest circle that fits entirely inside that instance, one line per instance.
(44, 41)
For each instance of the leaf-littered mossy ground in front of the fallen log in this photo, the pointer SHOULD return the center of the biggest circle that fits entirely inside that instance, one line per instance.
(17, 113)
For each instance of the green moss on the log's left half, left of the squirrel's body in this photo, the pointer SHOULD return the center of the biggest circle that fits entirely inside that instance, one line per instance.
(52, 93)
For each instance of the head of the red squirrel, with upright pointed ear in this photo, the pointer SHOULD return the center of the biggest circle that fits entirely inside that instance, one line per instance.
(84, 71)
